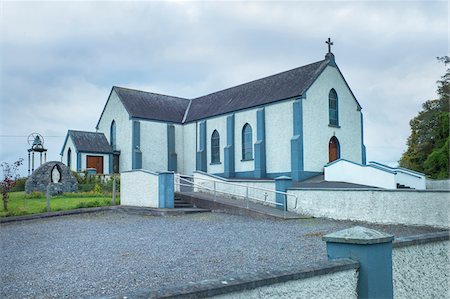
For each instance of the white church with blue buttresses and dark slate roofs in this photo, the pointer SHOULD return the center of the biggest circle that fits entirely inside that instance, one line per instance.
(292, 123)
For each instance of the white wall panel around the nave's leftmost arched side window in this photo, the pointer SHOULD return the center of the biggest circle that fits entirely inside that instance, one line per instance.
(219, 124)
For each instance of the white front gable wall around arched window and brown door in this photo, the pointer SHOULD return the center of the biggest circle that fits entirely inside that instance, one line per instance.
(316, 131)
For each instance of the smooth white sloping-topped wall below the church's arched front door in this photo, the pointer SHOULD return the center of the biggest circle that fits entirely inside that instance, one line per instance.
(344, 171)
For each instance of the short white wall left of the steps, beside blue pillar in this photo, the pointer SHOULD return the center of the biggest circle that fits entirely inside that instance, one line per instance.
(139, 188)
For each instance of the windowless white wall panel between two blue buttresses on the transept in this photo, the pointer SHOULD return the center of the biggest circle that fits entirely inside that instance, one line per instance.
(154, 145)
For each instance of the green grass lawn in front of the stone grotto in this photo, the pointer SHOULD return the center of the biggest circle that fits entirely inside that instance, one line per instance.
(20, 203)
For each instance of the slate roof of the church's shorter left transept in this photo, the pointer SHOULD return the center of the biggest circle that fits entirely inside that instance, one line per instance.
(147, 105)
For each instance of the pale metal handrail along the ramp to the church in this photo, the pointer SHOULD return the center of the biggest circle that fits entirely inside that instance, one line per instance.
(193, 184)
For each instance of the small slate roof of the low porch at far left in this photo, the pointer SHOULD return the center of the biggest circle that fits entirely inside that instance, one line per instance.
(90, 142)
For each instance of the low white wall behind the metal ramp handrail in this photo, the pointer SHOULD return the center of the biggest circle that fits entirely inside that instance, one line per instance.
(237, 187)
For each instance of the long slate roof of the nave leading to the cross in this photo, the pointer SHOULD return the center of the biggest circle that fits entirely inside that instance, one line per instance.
(277, 87)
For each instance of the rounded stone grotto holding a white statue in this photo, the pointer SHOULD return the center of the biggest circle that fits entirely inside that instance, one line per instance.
(55, 174)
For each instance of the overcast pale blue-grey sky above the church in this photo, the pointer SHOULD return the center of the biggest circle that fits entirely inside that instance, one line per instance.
(58, 61)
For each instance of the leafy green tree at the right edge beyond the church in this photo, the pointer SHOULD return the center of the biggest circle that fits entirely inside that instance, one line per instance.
(428, 143)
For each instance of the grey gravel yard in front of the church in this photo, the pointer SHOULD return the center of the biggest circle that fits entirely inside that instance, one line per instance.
(92, 255)
